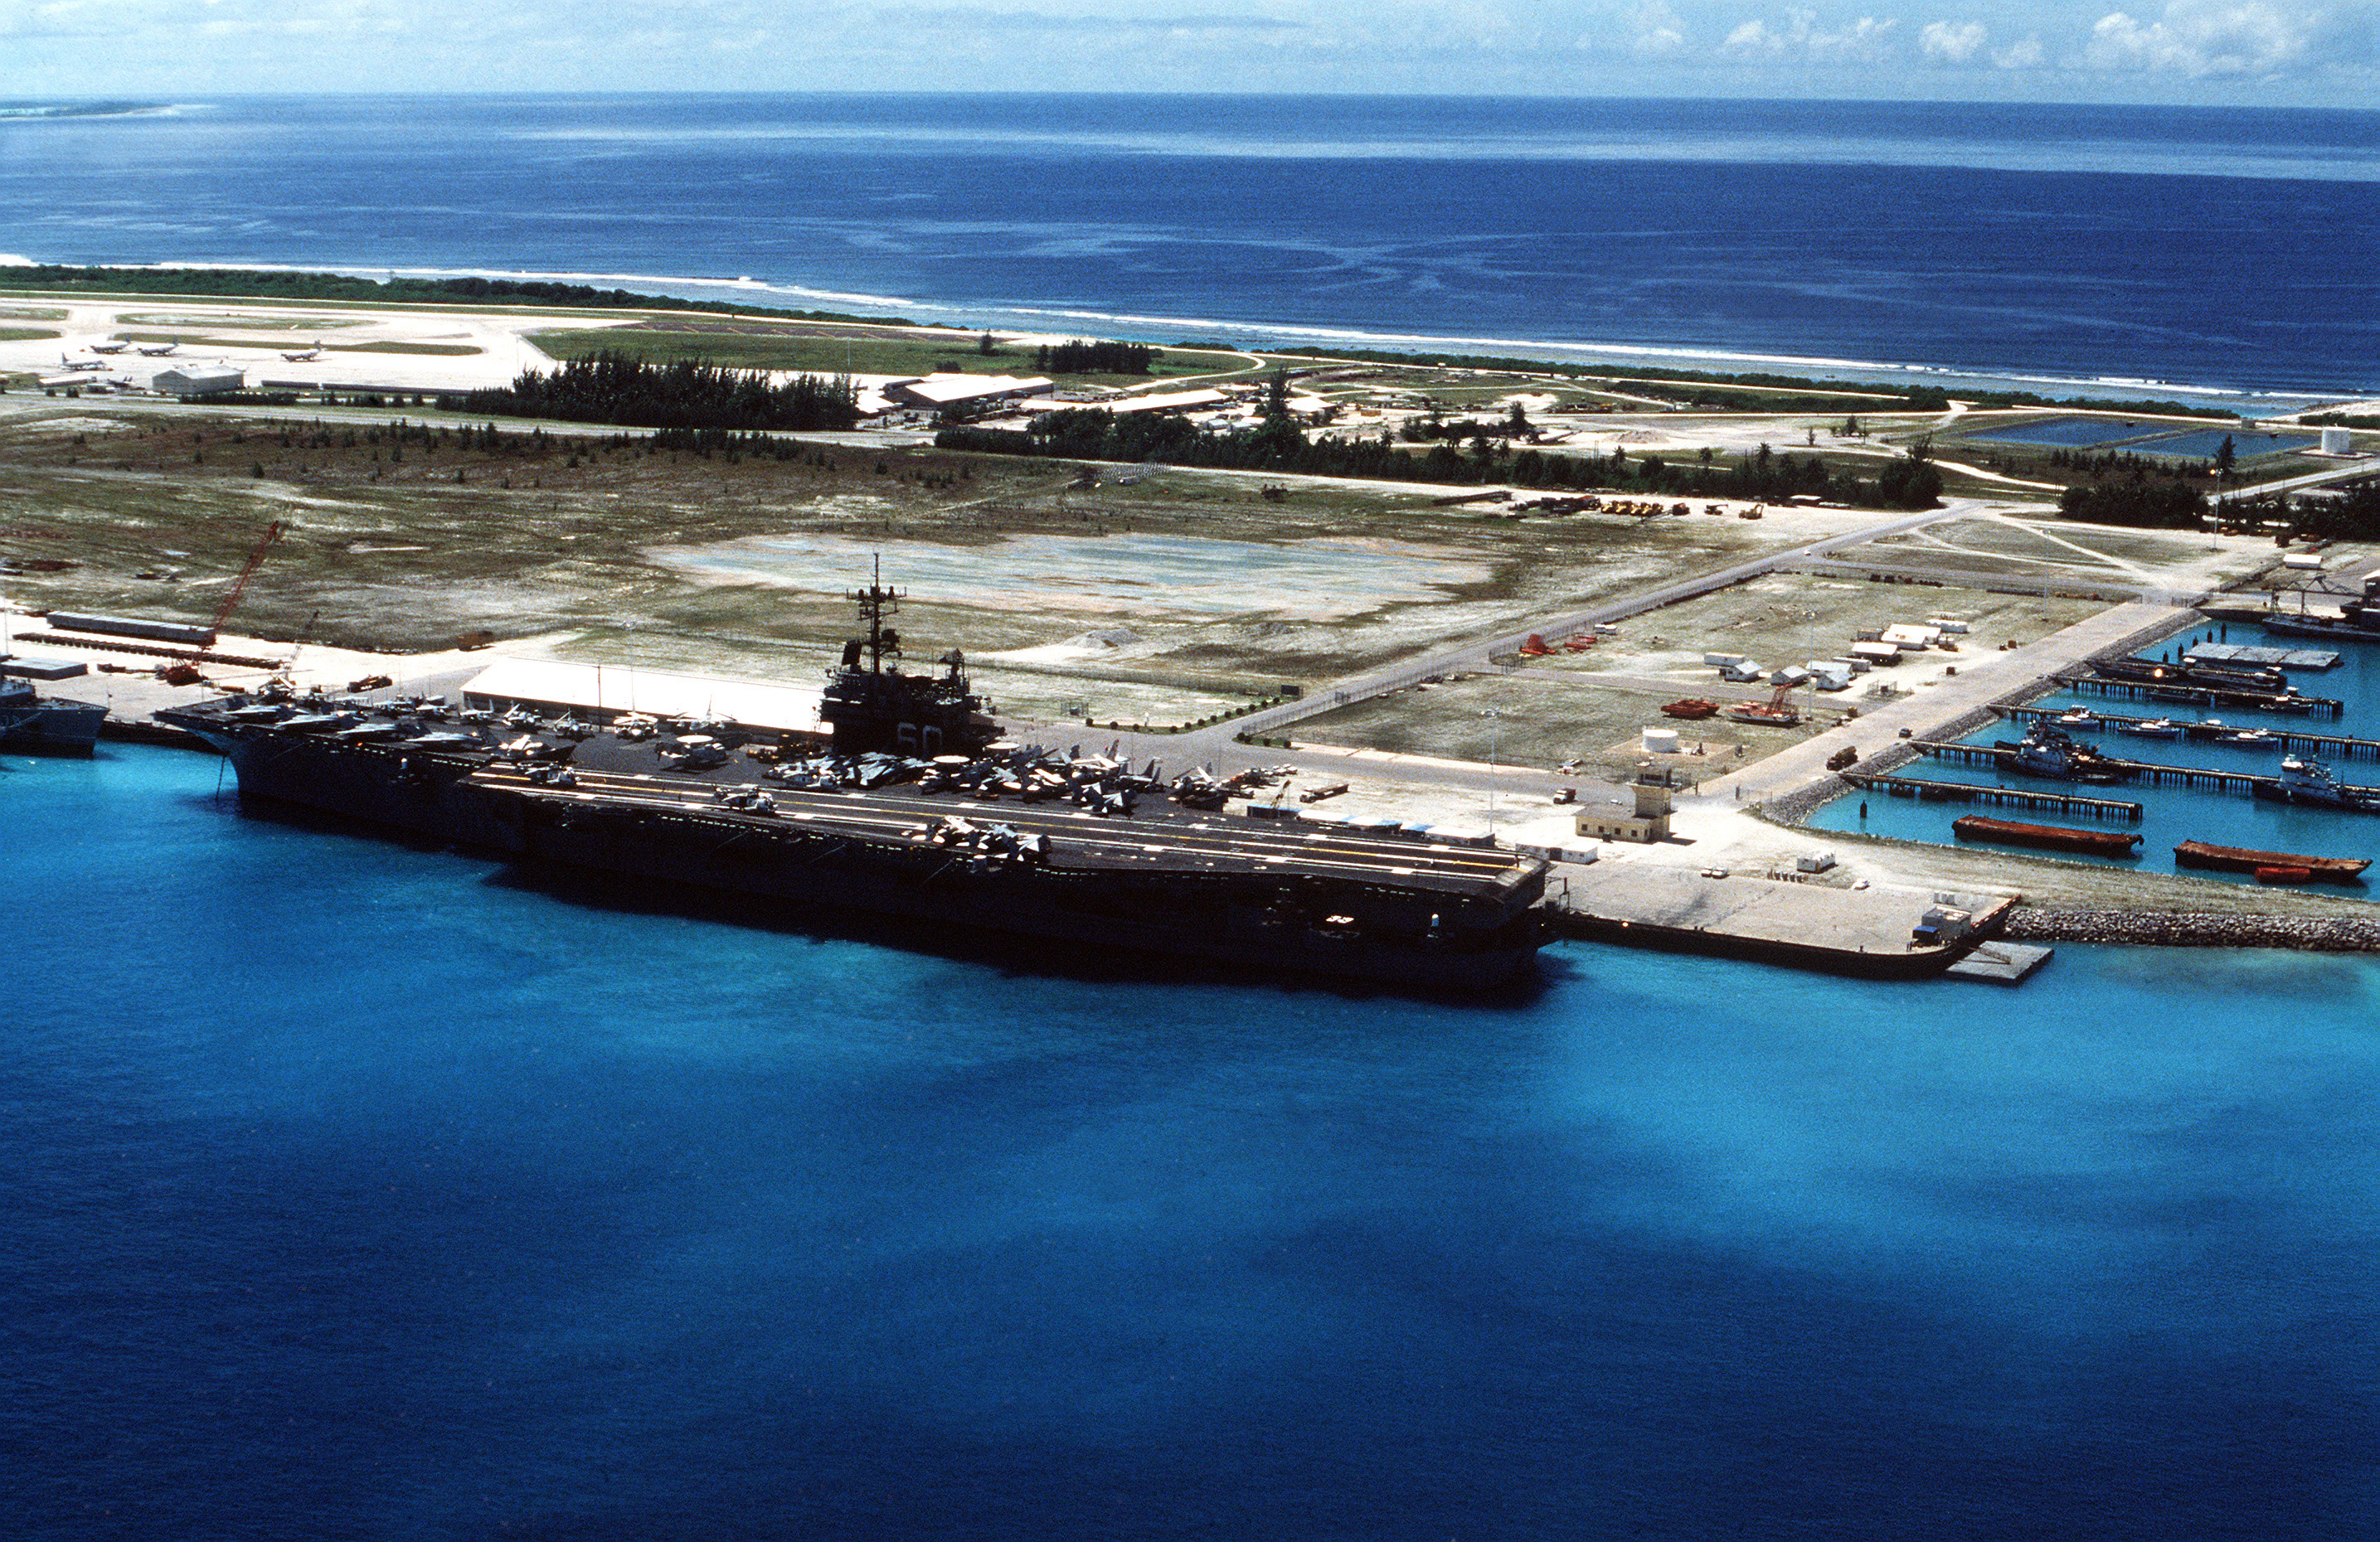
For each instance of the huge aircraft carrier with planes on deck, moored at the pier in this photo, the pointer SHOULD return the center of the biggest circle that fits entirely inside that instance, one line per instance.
(915, 810)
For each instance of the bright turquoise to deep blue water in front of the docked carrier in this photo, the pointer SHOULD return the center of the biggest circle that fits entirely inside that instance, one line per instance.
(368, 1191)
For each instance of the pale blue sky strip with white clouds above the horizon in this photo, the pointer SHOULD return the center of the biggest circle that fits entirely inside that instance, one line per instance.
(2181, 51)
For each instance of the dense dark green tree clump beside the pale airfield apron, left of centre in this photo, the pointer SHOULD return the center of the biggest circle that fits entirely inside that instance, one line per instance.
(691, 394)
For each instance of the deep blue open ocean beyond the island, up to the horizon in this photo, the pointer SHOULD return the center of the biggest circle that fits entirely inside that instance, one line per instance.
(2060, 244)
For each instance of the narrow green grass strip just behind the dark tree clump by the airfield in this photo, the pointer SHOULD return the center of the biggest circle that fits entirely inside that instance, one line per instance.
(856, 353)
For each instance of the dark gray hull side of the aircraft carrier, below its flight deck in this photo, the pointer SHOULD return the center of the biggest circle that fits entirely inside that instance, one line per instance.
(1270, 920)
